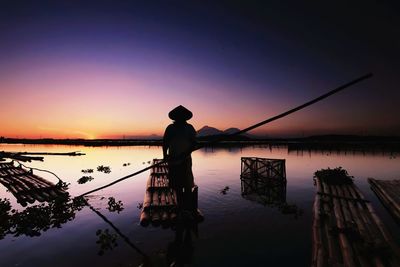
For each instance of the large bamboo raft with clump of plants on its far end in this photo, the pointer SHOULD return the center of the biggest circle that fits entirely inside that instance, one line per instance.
(346, 230)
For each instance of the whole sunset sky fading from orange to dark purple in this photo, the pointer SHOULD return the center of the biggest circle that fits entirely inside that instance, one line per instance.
(101, 69)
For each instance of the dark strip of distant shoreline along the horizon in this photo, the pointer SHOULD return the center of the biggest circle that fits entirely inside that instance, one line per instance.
(391, 143)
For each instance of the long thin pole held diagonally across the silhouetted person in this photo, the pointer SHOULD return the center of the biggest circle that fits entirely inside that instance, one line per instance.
(284, 114)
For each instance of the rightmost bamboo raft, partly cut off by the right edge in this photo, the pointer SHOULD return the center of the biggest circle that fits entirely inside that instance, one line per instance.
(389, 194)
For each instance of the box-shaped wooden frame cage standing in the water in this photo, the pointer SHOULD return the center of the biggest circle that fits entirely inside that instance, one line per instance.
(263, 176)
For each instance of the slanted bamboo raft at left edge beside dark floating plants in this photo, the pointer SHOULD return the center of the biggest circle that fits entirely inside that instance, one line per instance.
(26, 186)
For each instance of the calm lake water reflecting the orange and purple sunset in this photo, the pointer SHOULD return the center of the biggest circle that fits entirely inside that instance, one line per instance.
(236, 231)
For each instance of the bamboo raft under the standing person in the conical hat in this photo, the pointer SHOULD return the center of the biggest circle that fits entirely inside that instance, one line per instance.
(160, 201)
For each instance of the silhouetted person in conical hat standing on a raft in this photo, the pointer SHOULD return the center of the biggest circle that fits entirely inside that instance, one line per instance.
(179, 142)
